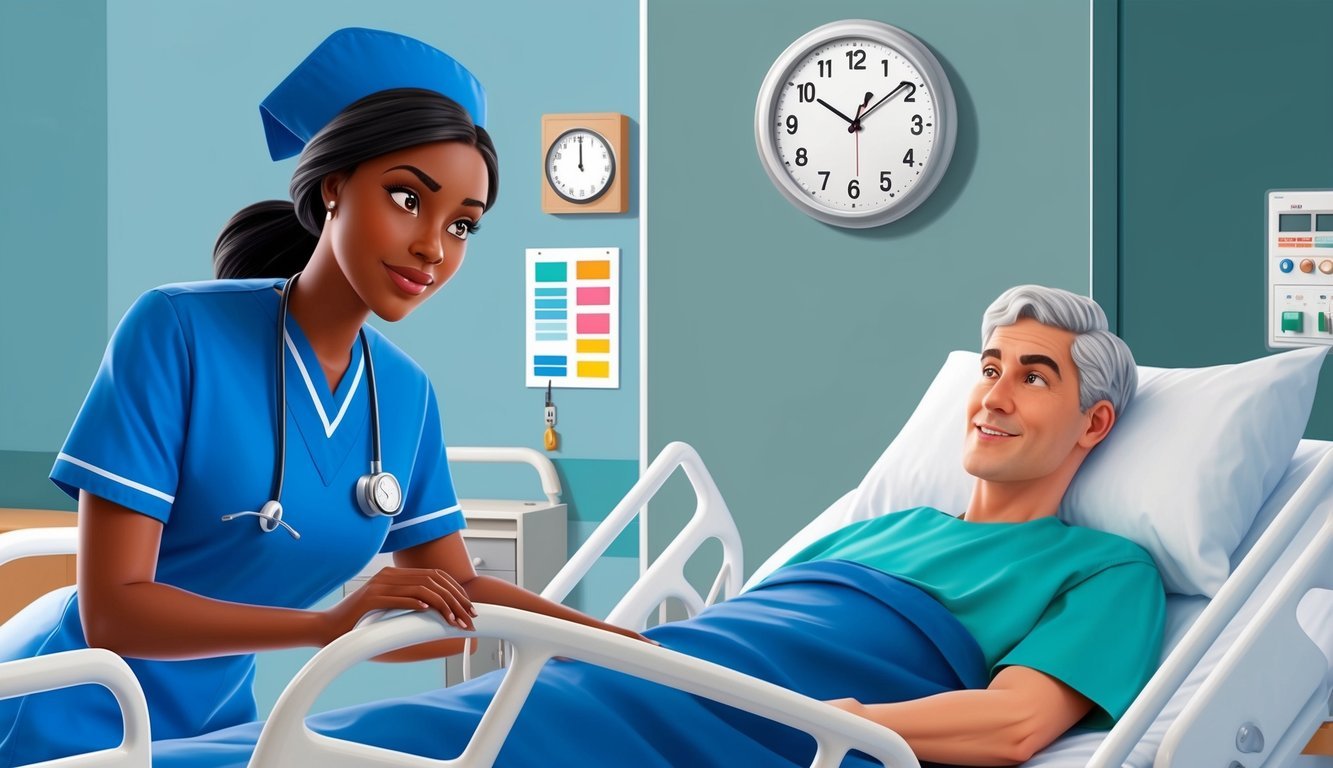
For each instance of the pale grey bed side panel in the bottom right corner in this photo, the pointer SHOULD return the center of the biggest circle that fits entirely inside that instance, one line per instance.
(1268, 693)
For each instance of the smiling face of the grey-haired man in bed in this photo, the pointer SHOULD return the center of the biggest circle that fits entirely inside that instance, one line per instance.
(1023, 415)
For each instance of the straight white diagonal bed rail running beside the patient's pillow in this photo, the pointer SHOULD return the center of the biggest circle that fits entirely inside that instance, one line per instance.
(1140, 717)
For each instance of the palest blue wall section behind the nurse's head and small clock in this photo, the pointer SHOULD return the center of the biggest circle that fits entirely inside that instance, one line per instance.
(185, 83)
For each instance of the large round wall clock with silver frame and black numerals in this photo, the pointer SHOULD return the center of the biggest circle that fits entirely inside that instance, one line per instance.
(855, 123)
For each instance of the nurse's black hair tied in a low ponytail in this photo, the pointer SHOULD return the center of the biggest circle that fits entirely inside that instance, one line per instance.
(277, 238)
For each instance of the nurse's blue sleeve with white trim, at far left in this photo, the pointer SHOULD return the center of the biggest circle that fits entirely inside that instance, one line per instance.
(127, 441)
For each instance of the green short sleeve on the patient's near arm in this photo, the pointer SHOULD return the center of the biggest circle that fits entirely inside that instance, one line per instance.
(1102, 638)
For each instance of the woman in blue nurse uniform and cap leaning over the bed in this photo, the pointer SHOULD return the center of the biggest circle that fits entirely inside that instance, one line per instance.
(250, 443)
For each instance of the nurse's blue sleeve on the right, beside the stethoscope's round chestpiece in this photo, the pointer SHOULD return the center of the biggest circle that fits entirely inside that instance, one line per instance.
(431, 506)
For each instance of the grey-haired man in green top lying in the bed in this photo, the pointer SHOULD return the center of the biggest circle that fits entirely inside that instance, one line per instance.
(1051, 386)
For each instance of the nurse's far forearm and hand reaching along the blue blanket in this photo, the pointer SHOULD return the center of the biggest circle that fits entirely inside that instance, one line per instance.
(451, 555)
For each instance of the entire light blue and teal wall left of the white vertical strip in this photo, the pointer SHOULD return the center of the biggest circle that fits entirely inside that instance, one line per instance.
(141, 137)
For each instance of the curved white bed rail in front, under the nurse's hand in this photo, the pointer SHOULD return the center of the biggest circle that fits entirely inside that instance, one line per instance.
(537, 639)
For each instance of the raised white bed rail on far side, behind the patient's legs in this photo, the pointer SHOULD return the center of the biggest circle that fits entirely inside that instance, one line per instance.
(666, 578)
